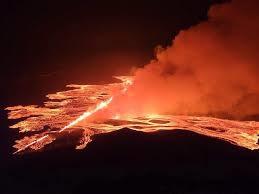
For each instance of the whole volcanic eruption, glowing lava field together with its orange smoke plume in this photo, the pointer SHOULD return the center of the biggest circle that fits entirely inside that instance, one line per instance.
(210, 68)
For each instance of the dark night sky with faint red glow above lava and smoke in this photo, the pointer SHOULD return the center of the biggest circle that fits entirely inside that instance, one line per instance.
(84, 41)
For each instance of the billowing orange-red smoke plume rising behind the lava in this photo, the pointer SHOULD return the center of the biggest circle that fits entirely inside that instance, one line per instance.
(210, 69)
